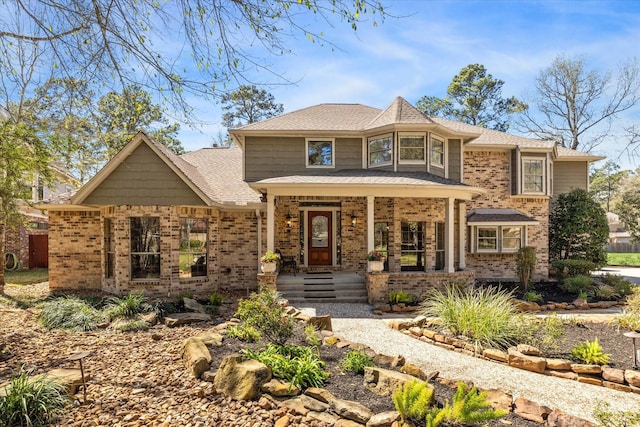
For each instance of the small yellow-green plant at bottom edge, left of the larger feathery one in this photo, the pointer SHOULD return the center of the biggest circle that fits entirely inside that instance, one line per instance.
(412, 400)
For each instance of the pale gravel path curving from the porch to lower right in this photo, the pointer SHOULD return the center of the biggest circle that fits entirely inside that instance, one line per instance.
(357, 323)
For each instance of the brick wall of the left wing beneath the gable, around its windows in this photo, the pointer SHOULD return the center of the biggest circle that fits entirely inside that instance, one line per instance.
(77, 257)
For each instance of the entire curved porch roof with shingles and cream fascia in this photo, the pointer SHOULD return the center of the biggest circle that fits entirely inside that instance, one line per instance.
(364, 182)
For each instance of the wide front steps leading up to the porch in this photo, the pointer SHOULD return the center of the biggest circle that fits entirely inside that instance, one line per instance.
(323, 287)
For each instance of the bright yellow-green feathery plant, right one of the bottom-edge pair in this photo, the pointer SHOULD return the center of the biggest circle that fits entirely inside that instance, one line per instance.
(468, 407)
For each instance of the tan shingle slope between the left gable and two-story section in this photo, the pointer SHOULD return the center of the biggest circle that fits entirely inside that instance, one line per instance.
(221, 169)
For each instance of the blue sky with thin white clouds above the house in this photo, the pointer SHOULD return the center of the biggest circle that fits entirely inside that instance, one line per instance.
(419, 53)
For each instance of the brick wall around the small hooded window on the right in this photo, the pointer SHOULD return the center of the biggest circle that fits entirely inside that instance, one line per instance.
(491, 170)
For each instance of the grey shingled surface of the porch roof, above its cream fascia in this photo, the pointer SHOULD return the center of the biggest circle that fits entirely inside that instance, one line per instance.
(363, 176)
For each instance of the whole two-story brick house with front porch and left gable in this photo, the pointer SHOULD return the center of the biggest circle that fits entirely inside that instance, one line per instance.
(444, 201)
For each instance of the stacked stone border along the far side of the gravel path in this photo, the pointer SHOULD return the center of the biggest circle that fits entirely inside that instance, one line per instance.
(527, 358)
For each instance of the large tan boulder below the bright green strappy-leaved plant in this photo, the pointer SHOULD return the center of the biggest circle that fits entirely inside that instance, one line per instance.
(241, 379)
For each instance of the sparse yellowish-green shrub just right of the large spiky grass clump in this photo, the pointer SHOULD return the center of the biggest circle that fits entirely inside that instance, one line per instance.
(544, 334)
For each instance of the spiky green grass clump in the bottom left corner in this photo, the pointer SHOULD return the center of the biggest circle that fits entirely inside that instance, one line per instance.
(32, 401)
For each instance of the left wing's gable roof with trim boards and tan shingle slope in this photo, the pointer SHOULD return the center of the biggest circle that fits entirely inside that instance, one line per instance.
(216, 180)
